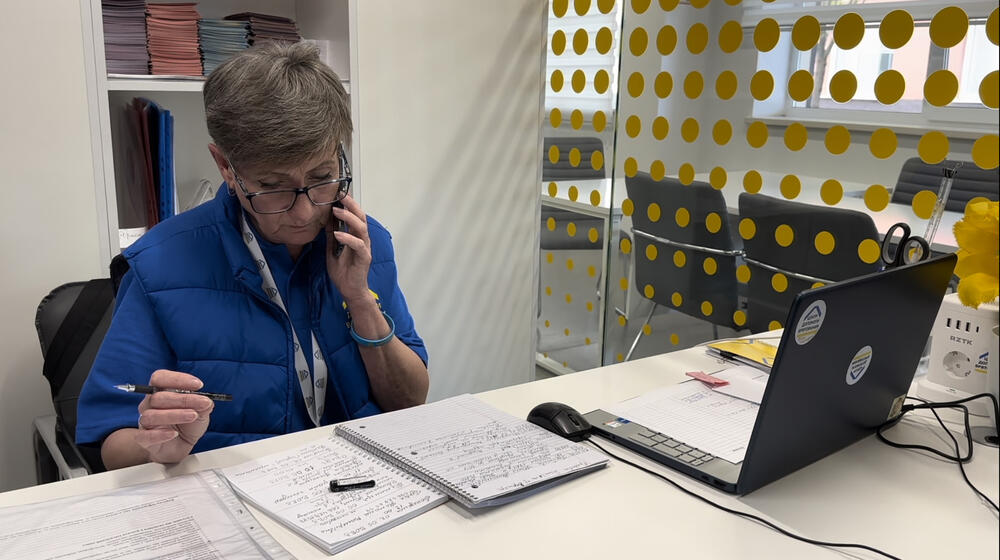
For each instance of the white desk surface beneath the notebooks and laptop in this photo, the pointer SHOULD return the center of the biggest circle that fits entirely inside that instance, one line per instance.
(905, 503)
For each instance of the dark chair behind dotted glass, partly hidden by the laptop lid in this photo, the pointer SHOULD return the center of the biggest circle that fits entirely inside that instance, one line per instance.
(801, 263)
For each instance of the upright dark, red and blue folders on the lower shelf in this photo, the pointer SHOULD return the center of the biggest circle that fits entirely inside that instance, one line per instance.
(144, 166)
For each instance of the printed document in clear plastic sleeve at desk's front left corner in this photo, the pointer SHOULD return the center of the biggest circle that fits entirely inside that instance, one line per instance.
(183, 517)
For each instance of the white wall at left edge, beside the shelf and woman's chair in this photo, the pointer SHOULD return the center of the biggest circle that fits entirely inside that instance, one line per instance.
(48, 233)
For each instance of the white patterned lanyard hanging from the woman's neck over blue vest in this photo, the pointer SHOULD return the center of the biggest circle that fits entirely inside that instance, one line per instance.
(313, 390)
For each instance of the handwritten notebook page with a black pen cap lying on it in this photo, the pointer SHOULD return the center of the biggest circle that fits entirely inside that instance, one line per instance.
(293, 487)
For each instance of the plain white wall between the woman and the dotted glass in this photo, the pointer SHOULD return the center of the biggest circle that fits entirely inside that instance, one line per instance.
(448, 120)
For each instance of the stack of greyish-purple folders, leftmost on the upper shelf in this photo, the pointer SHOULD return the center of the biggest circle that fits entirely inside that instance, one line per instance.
(125, 36)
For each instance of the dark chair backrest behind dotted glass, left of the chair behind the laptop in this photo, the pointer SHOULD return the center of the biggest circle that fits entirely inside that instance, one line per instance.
(684, 228)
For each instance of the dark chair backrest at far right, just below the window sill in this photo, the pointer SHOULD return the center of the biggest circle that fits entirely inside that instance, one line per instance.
(970, 181)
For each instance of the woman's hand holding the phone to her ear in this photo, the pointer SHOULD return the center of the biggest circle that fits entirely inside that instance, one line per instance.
(349, 270)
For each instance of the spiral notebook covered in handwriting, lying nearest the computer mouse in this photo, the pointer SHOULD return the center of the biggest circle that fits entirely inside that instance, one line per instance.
(471, 451)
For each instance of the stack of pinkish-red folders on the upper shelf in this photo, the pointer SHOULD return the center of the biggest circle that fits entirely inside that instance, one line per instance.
(173, 39)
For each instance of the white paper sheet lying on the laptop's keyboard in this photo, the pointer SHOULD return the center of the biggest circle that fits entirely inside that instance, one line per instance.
(693, 413)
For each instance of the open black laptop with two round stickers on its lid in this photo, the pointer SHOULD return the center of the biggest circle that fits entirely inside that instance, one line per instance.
(846, 359)
